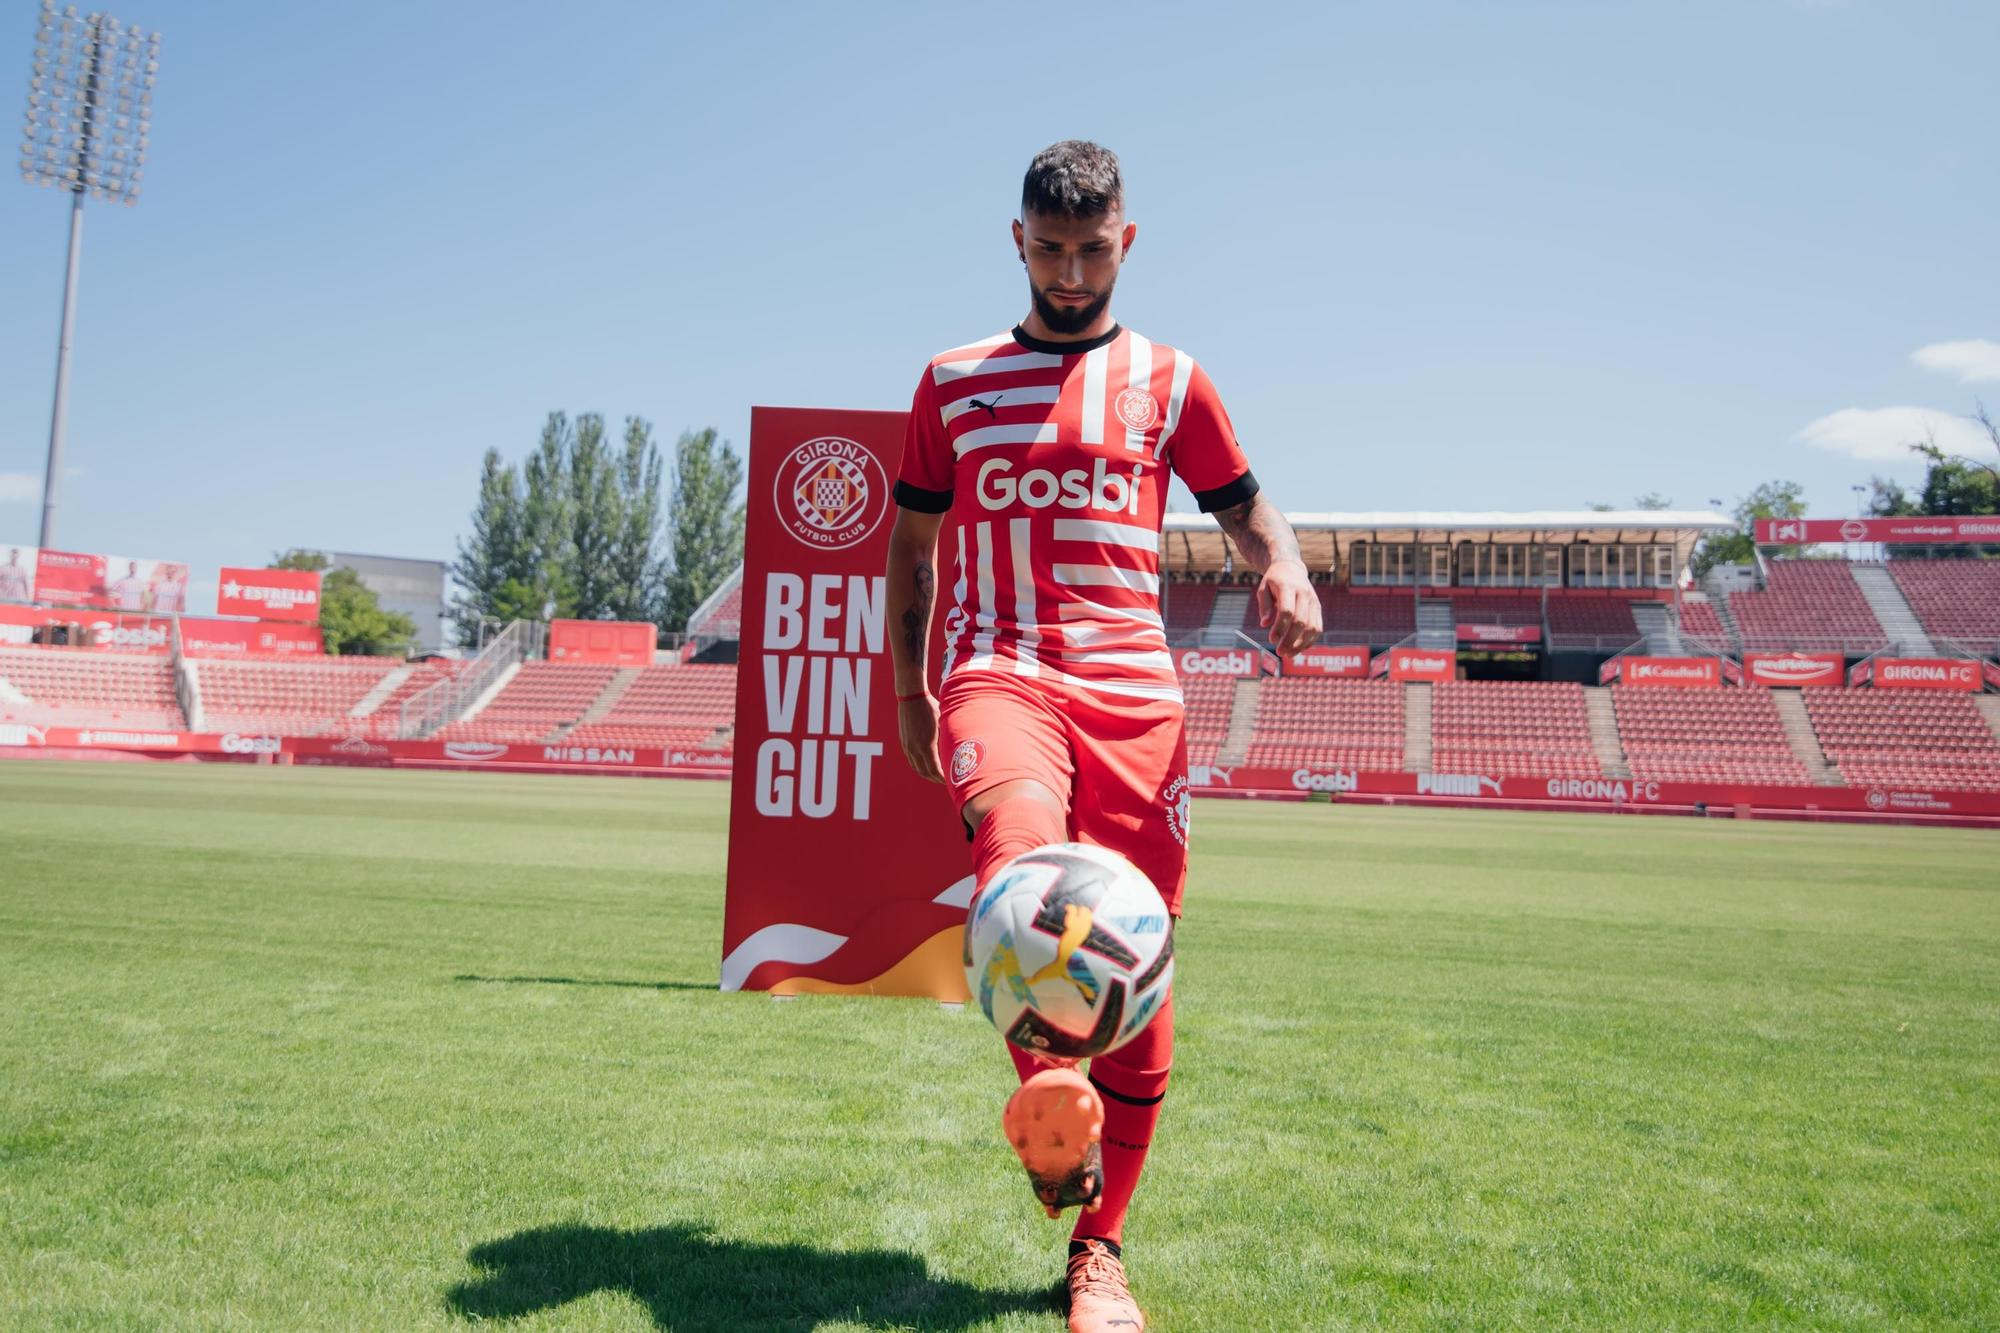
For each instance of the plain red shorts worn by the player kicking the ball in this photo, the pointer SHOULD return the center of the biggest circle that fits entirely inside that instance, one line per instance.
(1121, 766)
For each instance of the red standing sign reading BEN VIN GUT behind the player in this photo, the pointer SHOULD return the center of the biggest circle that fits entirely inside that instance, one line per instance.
(847, 872)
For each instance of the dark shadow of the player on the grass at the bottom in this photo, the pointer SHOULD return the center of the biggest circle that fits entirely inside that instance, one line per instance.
(693, 1280)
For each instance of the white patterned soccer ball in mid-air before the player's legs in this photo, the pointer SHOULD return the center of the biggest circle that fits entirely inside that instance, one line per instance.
(1069, 952)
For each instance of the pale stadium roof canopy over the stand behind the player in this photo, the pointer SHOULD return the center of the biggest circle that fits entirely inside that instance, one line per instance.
(1197, 543)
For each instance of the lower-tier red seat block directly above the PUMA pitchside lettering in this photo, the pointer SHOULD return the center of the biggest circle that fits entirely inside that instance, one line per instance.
(1511, 730)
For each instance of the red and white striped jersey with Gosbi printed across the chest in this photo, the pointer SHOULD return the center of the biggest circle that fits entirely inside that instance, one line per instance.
(1055, 461)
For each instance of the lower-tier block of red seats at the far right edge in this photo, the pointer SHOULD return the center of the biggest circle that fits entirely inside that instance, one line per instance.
(1907, 738)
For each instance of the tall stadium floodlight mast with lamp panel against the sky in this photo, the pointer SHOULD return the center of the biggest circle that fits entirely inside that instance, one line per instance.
(87, 131)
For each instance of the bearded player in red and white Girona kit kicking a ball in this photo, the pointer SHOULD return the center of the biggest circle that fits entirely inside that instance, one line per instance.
(1059, 714)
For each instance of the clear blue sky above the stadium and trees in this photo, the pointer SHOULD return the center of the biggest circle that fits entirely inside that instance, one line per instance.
(1433, 255)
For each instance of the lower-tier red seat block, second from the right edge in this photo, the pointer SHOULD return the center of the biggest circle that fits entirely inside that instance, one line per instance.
(1705, 738)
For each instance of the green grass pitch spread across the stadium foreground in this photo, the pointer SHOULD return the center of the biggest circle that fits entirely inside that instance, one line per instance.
(343, 1050)
